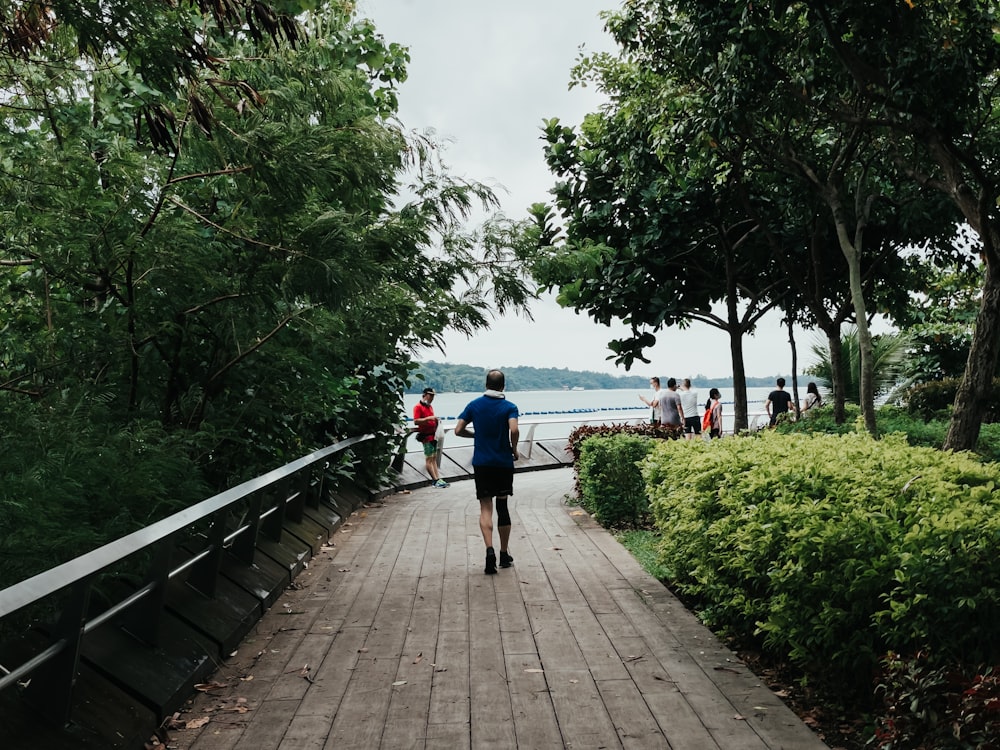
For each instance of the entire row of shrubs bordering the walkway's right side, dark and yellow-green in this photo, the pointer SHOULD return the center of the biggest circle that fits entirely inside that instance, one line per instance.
(864, 566)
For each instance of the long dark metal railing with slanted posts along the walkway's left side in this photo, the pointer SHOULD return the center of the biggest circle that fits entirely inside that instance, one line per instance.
(281, 494)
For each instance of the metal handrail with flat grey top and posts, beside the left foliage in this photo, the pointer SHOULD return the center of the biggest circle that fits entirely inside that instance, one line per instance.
(60, 658)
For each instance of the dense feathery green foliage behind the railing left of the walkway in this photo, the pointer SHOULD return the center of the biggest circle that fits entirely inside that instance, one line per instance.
(206, 265)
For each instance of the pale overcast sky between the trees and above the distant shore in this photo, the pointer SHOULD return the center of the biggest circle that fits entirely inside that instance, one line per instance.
(484, 76)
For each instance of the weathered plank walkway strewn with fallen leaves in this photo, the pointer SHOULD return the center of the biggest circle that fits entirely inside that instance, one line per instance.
(394, 638)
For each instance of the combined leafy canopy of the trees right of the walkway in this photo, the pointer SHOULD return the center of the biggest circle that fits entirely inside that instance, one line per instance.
(797, 125)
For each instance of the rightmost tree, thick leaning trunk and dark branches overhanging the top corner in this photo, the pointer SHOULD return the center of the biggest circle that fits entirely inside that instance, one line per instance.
(928, 74)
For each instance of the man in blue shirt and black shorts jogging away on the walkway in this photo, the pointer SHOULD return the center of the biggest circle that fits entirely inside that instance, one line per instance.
(494, 452)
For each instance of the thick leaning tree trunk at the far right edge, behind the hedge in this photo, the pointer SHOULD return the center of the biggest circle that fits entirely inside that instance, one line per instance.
(974, 390)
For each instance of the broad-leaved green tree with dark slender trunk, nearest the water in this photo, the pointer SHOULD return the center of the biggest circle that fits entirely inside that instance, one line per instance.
(654, 236)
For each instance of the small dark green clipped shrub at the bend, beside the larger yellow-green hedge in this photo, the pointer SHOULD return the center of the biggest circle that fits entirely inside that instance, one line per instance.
(611, 485)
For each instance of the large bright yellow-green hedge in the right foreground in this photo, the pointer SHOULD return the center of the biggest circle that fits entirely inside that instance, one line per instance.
(834, 549)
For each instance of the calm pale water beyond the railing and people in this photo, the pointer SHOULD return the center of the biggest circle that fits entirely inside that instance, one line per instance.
(557, 412)
